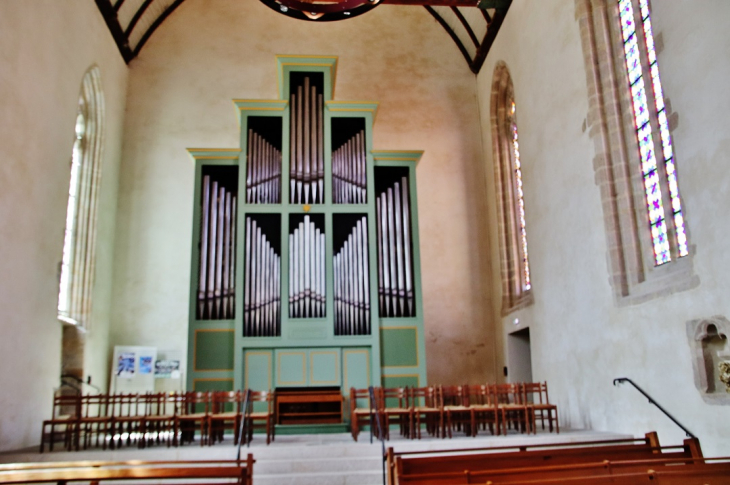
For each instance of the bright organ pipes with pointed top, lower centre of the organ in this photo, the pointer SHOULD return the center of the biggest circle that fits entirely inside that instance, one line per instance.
(306, 270)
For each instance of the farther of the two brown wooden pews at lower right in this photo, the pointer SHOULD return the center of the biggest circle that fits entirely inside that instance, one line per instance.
(413, 467)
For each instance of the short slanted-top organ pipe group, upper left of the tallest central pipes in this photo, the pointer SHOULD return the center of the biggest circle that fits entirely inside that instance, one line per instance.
(263, 171)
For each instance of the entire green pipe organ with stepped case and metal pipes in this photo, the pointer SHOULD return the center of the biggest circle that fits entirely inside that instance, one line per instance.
(306, 244)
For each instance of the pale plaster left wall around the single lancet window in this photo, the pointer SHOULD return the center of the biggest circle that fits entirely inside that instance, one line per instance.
(46, 46)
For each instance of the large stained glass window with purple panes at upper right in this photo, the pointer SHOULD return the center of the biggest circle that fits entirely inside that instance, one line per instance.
(636, 59)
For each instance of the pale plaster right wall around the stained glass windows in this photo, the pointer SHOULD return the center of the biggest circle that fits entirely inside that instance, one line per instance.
(580, 339)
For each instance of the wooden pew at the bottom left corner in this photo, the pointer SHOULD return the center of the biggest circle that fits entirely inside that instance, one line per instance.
(140, 472)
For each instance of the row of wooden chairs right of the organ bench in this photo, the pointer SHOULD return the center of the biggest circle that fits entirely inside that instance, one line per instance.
(441, 410)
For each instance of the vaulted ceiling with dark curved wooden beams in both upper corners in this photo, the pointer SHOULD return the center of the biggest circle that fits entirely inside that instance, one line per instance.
(471, 24)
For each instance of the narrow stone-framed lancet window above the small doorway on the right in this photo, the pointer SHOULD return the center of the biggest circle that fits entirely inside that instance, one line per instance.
(514, 261)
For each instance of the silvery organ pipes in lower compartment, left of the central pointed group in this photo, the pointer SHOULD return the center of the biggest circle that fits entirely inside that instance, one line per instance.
(262, 284)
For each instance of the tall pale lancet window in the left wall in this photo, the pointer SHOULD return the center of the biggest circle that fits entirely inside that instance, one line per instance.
(77, 266)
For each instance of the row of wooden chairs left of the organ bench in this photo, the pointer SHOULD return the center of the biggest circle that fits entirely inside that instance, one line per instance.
(113, 420)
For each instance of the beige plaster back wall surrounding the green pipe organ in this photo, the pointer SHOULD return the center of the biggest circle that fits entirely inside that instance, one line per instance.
(180, 91)
